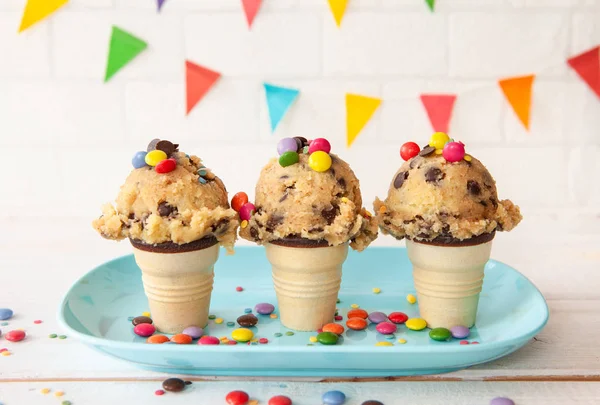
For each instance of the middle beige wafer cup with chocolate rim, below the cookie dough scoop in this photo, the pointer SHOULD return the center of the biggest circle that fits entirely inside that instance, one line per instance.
(307, 277)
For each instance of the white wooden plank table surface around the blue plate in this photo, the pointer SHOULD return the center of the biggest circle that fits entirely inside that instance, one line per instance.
(560, 366)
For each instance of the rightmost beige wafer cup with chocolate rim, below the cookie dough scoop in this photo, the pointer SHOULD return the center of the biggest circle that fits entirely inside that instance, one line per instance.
(448, 279)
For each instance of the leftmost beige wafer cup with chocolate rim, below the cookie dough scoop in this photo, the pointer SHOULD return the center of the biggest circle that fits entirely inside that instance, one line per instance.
(178, 281)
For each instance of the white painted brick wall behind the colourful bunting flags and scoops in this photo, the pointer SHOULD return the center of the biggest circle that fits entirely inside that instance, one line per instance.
(67, 137)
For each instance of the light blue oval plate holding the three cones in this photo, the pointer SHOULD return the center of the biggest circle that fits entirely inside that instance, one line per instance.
(98, 308)
